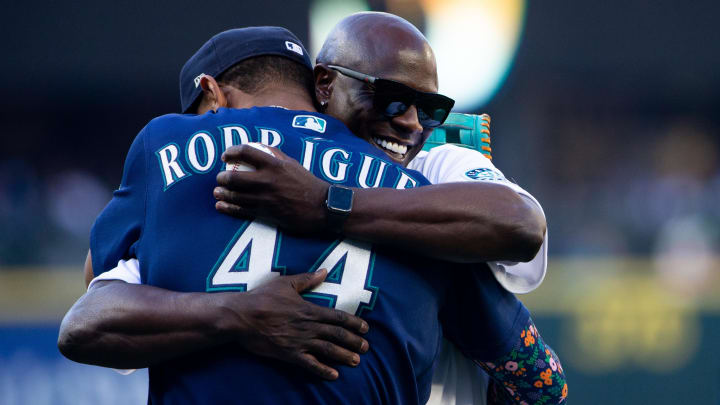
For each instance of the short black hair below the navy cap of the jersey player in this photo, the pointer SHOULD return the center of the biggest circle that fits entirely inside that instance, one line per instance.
(252, 75)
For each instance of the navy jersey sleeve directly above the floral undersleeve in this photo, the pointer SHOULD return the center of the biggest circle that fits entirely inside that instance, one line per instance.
(480, 317)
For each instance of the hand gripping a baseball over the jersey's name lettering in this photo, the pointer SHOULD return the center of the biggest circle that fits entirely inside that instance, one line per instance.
(280, 190)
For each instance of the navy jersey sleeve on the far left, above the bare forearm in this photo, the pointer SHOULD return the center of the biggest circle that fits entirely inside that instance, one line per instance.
(118, 228)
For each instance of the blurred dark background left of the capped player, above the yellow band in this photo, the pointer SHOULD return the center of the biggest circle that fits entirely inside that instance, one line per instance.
(78, 81)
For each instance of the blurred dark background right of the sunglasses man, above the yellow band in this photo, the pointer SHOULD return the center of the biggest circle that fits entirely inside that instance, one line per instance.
(610, 117)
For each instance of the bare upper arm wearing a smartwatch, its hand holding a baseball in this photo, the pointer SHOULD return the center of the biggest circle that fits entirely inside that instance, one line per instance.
(460, 222)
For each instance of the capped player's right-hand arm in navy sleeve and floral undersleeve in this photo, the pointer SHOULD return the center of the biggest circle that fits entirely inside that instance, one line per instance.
(491, 327)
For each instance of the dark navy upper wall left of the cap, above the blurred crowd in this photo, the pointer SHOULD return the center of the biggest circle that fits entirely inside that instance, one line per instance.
(81, 78)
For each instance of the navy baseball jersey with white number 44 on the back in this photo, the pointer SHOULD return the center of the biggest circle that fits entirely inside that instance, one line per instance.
(164, 214)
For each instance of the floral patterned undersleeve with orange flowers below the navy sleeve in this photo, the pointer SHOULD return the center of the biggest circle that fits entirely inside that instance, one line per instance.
(530, 374)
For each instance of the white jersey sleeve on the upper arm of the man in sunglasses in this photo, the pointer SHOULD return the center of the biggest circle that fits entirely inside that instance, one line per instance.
(450, 163)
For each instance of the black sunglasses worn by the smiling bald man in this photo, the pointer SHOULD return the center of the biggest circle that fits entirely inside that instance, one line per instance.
(393, 99)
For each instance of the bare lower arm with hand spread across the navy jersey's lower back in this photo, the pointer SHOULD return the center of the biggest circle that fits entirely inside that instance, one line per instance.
(121, 325)
